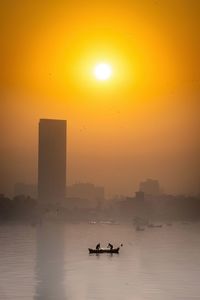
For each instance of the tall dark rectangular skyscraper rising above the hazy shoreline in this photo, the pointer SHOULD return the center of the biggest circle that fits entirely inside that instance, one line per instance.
(52, 161)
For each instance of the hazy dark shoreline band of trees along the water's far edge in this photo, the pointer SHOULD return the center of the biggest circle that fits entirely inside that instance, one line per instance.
(158, 208)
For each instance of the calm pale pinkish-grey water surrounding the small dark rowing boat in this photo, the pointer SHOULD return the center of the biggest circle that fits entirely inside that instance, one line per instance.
(51, 262)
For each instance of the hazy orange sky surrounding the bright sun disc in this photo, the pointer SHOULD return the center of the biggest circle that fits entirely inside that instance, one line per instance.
(144, 122)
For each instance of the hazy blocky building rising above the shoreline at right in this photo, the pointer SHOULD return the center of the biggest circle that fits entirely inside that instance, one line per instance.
(150, 187)
